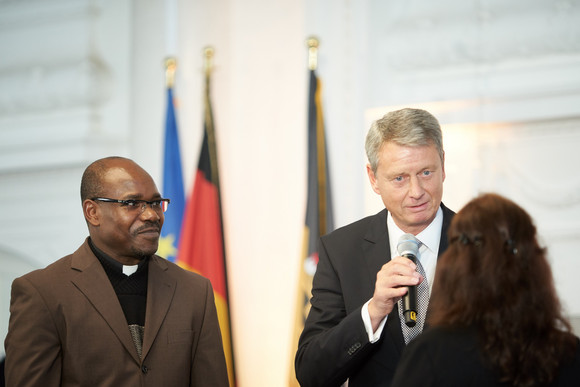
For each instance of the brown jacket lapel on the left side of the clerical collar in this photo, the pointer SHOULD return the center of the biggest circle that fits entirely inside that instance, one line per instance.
(91, 280)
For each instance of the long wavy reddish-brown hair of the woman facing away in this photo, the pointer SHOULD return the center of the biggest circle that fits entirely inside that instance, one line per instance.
(495, 277)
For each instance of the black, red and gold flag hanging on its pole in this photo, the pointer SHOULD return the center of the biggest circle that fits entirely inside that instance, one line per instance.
(202, 243)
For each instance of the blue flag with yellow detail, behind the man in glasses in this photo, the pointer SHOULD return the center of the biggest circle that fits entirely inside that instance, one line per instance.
(172, 185)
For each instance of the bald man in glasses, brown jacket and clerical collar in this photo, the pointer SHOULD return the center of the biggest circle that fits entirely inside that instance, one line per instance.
(113, 313)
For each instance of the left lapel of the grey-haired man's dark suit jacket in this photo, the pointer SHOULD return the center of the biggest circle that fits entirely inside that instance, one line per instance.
(377, 252)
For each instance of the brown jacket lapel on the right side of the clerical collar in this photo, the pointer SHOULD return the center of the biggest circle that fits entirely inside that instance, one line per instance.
(160, 290)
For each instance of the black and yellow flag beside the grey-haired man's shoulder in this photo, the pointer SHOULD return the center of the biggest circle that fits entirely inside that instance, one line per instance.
(319, 218)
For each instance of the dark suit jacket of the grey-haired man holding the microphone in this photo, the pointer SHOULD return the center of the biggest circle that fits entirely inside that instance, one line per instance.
(334, 345)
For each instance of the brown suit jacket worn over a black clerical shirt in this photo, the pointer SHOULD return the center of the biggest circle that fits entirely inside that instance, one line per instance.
(67, 328)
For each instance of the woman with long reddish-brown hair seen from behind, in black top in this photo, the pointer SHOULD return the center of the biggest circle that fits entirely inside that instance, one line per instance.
(494, 315)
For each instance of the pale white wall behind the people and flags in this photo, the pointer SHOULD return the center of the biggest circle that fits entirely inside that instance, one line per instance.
(80, 79)
